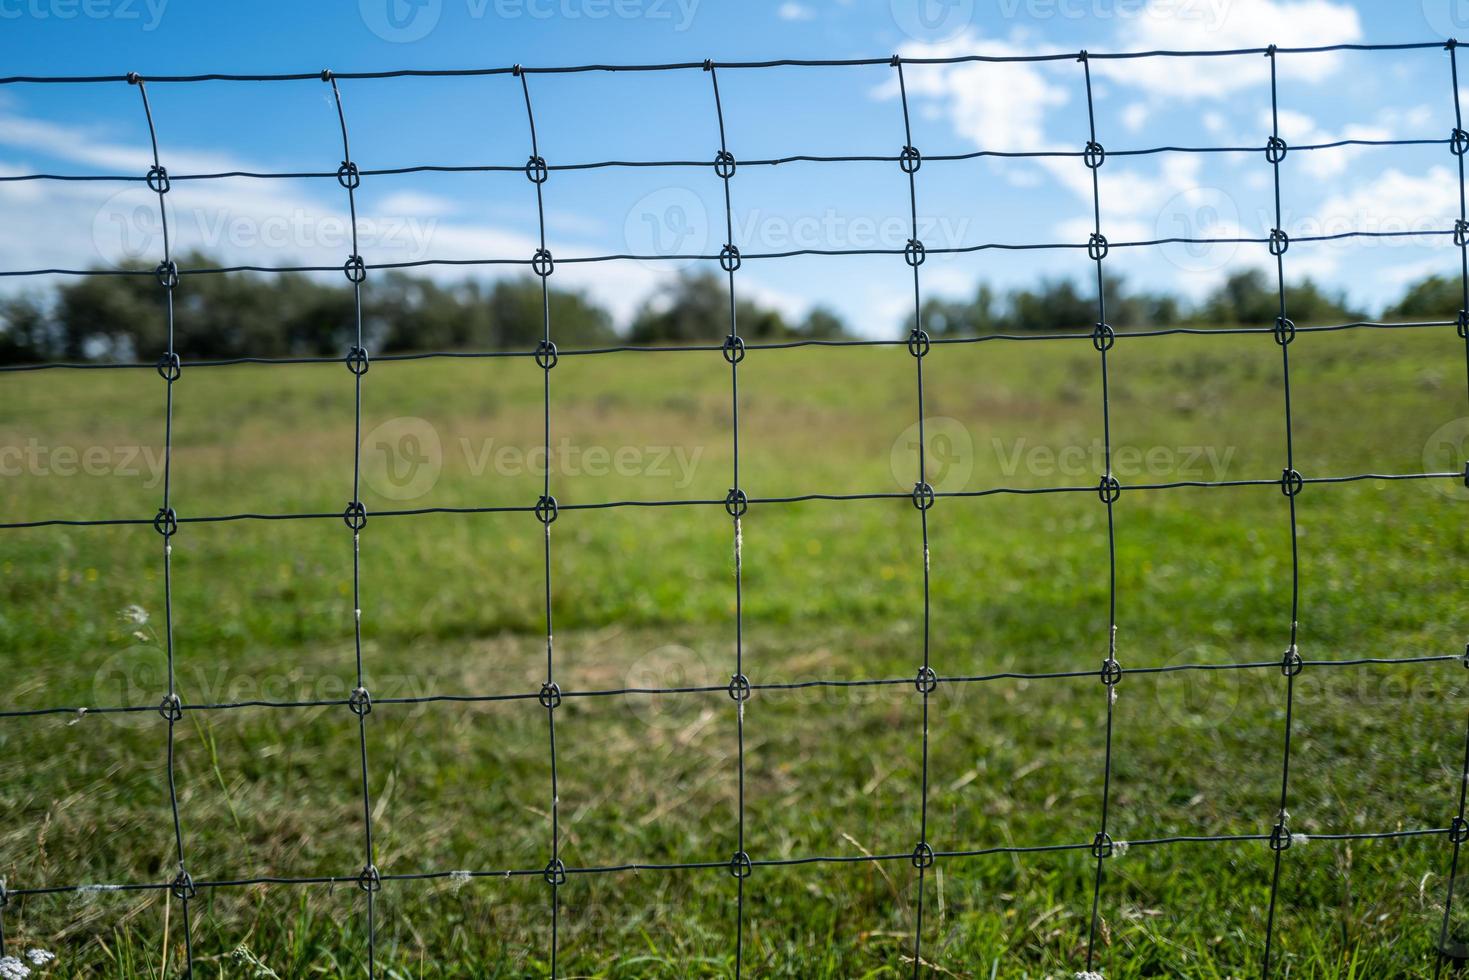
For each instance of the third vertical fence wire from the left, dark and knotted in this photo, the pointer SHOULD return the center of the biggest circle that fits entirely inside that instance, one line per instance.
(547, 511)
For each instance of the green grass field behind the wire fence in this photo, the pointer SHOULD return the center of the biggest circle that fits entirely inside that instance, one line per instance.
(834, 590)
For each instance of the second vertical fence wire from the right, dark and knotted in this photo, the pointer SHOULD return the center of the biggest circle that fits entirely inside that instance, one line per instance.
(1291, 487)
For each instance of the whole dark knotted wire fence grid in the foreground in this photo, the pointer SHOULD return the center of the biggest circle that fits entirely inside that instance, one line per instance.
(1276, 832)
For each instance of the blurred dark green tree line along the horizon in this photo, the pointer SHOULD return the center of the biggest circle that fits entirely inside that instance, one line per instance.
(289, 315)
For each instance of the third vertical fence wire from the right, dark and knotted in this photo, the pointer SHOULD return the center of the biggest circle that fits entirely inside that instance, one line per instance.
(1110, 491)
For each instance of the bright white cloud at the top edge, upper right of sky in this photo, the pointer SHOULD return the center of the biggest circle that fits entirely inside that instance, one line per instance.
(1223, 26)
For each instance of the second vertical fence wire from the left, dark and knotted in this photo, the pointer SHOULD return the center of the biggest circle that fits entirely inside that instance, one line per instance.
(356, 518)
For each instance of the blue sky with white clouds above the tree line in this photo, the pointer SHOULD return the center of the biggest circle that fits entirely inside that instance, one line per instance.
(287, 127)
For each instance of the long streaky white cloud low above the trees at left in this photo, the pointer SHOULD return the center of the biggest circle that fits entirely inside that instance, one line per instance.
(262, 223)
